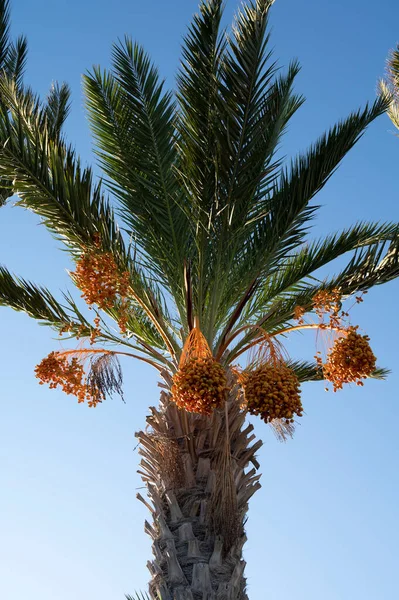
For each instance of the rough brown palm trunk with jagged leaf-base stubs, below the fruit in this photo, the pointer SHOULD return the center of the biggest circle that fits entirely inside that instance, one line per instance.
(199, 484)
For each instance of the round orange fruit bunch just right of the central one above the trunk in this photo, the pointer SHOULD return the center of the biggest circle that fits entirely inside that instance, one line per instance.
(271, 389)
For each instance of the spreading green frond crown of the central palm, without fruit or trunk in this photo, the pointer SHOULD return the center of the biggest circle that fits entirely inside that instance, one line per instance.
(216, 225)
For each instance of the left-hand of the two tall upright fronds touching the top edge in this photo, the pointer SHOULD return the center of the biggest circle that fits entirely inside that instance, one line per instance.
(198, 121)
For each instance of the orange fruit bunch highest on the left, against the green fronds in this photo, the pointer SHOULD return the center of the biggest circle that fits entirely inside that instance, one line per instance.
(103, 283)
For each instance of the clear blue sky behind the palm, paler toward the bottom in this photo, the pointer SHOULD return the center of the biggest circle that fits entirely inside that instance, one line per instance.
(325, 524)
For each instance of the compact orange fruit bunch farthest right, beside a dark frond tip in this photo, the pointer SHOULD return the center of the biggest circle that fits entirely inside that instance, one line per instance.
(350, 360)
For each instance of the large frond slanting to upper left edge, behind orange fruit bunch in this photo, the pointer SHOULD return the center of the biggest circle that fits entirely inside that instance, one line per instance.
(49, 180)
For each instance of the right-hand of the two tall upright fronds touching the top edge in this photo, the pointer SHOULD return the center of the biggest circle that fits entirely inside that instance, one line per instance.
(254, 108)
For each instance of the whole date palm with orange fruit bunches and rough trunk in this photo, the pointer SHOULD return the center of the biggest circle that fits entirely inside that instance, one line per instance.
(213, 262)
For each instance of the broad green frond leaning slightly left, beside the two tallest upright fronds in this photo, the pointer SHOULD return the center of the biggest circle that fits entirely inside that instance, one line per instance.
(132, 120)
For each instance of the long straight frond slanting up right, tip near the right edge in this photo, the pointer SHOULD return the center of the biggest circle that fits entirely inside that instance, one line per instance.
(287, 209)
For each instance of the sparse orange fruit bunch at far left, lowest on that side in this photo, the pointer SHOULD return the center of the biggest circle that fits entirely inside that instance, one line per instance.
(65, 370)
